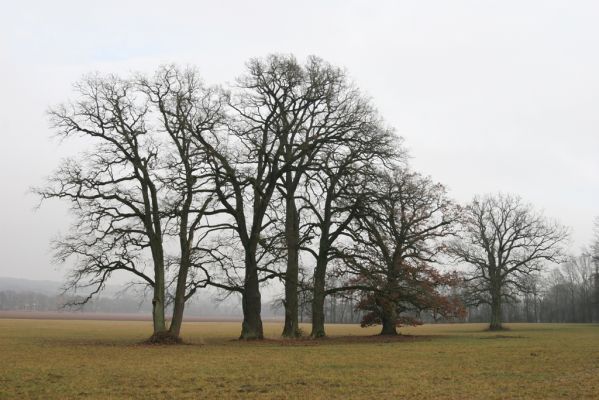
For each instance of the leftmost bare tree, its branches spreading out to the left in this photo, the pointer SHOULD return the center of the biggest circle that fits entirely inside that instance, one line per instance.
(113, 190)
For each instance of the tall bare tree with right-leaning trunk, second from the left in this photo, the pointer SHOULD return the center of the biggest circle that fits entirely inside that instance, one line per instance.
(185, 109)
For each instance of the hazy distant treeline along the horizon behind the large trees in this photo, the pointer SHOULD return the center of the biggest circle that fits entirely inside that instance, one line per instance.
(568, 294)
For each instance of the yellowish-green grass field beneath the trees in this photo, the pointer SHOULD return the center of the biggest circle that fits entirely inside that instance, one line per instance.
(103, 359)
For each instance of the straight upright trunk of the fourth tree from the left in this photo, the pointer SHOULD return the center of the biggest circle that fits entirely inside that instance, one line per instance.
(291, 327)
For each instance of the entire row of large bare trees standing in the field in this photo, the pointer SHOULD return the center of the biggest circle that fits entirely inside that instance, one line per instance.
(288, 175)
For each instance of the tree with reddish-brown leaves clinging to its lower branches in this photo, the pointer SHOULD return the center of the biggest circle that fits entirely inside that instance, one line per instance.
(397, 239)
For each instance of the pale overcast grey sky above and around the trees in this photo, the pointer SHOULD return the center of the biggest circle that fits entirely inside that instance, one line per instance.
(489, 95)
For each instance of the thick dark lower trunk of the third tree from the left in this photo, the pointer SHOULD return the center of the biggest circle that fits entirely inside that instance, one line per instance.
(251, 302)
